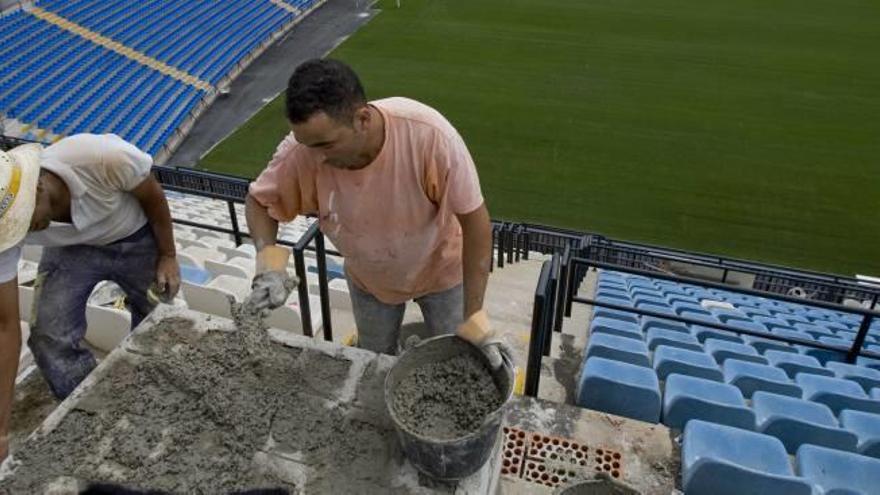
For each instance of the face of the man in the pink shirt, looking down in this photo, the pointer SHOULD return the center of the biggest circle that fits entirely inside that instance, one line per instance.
(340, 144)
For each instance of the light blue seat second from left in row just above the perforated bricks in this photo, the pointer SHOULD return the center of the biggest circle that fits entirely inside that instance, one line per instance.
(687, 398)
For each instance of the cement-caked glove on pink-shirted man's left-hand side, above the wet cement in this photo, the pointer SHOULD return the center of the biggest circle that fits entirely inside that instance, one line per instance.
(272, 284)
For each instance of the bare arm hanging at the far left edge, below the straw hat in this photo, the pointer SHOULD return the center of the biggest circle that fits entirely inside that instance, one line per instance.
(10, 348)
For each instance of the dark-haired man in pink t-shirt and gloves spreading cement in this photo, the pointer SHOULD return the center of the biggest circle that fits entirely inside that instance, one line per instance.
(396, 191)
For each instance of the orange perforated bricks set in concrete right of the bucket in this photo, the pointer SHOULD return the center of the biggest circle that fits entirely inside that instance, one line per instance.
(552, 461)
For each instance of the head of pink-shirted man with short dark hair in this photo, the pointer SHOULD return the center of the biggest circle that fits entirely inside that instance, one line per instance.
(328, 111)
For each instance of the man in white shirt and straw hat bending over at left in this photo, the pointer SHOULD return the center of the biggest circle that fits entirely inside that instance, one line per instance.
(91, 201)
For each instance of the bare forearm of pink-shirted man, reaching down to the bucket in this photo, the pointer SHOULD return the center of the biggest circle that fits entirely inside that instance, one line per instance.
(476, 257)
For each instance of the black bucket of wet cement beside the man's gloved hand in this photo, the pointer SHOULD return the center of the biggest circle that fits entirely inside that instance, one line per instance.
(449, 459)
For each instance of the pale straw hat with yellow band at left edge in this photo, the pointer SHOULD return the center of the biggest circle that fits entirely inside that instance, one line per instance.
(19, 172)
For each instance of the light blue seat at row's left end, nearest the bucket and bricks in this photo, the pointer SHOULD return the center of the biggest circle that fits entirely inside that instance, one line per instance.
(620, 388)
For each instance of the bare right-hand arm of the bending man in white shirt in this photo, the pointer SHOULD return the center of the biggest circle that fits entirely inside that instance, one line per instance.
(152, 199)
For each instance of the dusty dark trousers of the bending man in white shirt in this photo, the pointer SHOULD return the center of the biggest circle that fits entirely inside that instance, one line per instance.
(65, 280)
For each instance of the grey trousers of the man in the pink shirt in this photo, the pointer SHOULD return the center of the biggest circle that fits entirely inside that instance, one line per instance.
(378, 324)
